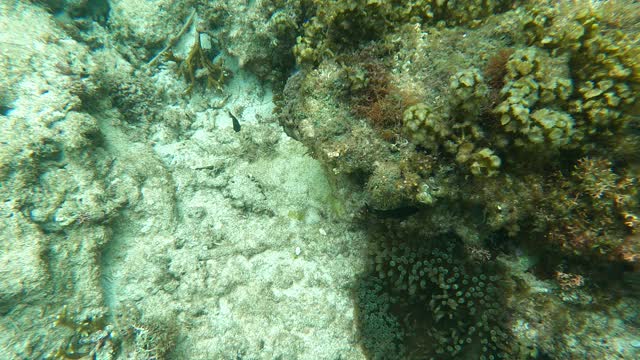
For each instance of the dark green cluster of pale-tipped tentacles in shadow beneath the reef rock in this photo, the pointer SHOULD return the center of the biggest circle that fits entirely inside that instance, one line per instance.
(455, 300)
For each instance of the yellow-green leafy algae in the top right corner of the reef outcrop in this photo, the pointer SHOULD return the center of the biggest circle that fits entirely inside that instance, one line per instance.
(605, 65)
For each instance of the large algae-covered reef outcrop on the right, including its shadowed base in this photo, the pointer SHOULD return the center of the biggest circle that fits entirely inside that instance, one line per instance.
(524, 136)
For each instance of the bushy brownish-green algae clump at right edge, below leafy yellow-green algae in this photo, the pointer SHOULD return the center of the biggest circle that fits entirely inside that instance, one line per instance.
(596, 211)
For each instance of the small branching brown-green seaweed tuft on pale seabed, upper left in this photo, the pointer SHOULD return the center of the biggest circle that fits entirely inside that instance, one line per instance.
(197, 65)
